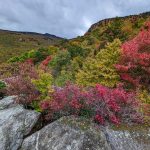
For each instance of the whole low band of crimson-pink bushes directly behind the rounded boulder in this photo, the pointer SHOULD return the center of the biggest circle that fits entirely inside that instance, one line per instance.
(100, 103)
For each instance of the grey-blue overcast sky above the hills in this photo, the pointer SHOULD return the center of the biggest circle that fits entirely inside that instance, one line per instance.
(65, 18)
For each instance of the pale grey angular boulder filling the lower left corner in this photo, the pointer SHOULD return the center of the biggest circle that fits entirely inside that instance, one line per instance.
(15, 123)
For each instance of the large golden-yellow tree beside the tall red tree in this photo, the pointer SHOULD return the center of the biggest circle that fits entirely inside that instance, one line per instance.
(101, 68)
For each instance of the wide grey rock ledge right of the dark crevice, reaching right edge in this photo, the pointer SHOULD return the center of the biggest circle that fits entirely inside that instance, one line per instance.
(70, 133)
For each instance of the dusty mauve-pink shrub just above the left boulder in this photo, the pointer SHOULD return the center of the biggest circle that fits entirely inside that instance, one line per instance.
(21, 85)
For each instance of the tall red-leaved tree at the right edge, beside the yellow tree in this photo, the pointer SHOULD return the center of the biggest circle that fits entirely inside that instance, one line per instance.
(134, 66)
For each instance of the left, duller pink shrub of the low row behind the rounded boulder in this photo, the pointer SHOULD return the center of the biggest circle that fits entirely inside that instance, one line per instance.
(65, 101)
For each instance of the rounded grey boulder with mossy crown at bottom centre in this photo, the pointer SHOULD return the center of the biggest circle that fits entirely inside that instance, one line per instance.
(67, 133)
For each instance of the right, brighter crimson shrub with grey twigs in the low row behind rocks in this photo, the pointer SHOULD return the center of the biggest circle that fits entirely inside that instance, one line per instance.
(115, 105)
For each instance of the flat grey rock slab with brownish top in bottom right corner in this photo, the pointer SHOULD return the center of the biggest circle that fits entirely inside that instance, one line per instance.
(130, 138)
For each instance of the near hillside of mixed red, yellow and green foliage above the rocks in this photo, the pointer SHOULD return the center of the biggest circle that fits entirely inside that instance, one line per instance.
(103, 75)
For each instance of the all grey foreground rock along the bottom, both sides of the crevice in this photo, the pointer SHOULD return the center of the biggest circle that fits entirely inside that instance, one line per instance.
(67, 133)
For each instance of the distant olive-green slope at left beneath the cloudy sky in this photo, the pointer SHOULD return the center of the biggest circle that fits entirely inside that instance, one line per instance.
(15, 43)
